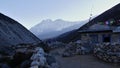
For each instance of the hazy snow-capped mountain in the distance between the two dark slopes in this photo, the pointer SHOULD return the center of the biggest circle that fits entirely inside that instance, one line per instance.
(49, 29)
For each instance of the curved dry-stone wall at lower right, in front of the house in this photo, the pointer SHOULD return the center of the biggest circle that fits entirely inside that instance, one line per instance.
(108, 52)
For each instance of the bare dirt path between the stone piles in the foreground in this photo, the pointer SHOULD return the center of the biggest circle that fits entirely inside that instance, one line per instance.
(82, 61)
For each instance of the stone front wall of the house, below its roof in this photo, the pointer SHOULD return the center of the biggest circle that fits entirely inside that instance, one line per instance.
(86, 38)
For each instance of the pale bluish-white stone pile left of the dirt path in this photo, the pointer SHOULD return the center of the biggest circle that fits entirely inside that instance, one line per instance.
(42, 60)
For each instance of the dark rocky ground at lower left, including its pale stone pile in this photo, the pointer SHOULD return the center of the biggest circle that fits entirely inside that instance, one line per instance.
(26, 56)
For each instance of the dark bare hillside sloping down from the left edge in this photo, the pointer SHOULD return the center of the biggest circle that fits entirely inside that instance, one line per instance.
(12, 32)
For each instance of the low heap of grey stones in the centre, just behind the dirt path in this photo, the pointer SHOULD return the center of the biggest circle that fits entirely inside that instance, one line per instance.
(74, 48)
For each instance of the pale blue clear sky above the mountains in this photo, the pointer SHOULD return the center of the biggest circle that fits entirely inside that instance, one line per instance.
(32, 12)
